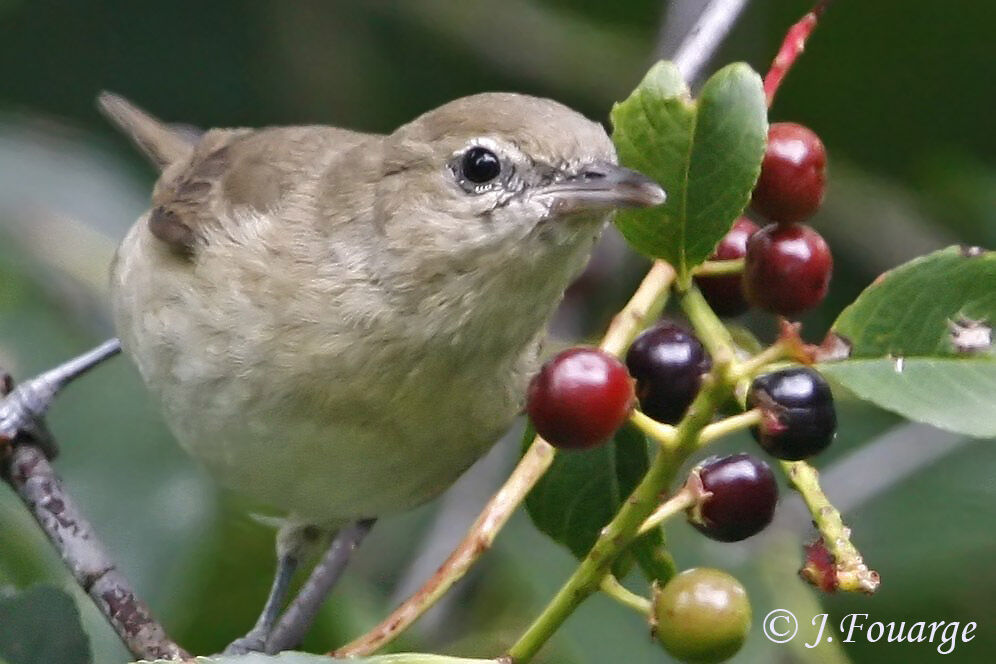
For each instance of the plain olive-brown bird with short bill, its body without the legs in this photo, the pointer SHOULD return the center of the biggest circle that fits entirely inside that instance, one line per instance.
(338, 323)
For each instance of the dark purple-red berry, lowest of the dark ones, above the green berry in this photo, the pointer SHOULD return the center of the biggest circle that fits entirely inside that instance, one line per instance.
(744, 494)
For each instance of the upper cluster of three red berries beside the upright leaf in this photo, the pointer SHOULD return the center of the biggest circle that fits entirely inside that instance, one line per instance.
(787, 264)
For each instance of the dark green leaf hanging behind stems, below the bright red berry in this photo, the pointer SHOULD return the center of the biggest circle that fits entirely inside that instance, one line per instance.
(583, 490)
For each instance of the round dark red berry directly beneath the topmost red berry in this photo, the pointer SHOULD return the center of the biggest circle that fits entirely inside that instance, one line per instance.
(787, 269)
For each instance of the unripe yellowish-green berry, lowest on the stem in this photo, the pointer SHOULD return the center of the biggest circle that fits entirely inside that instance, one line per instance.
(703, 616)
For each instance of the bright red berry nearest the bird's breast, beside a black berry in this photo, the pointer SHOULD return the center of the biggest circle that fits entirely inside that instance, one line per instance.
(580, 398)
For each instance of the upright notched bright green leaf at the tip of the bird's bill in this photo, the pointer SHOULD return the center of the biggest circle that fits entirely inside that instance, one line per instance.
(705, 153)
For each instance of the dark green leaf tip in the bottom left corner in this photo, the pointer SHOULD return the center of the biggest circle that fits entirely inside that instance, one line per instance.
(41, 625)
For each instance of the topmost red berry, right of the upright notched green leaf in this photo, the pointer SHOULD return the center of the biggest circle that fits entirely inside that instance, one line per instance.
(793, 174)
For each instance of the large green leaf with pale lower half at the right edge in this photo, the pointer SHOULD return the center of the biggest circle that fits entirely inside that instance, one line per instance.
(918, 341)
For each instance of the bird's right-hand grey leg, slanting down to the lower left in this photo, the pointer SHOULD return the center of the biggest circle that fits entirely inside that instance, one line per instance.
(301, 612)
